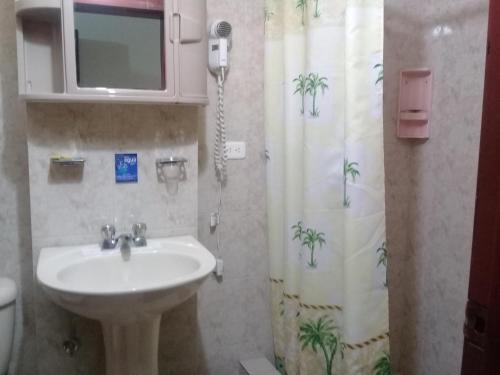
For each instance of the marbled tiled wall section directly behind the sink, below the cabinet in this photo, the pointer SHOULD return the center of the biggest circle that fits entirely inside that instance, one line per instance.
(69, 205)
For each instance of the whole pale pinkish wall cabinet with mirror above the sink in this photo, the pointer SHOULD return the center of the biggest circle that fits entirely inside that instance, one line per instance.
(149, 51)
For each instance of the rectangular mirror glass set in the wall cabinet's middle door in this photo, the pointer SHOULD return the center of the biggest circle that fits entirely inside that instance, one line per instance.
(120, 44)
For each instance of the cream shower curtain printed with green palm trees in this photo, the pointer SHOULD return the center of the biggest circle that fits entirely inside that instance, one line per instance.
(326, 210)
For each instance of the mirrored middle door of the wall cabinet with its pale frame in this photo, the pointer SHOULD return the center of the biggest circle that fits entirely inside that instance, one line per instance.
(119, 47)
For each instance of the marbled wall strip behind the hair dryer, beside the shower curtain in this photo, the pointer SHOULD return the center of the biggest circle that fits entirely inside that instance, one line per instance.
(239, 321)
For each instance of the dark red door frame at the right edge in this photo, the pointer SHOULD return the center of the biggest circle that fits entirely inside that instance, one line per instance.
(482, 327)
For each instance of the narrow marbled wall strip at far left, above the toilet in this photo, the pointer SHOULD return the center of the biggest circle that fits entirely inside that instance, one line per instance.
(15, 242)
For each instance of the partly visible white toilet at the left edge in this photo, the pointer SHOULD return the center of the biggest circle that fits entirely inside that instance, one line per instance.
(7, 312)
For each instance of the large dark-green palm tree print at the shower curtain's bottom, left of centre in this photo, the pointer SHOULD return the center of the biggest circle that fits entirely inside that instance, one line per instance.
(321, 337)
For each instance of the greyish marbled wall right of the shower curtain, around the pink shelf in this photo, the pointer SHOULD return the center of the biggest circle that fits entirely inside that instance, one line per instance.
(431, 185)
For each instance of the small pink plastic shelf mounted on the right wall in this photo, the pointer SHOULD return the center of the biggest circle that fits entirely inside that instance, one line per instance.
(415, 100)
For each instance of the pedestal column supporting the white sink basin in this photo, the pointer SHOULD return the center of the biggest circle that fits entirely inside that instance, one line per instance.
(132, 348)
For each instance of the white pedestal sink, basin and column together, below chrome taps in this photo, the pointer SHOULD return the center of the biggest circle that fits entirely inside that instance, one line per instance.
(127, 296)
